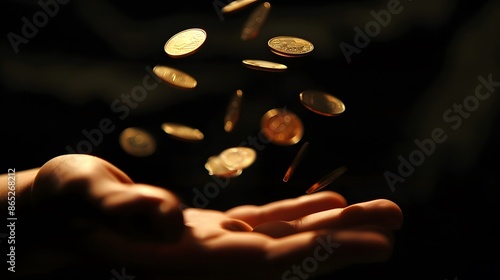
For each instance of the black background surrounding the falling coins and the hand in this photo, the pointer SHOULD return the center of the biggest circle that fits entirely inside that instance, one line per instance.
(63, 80)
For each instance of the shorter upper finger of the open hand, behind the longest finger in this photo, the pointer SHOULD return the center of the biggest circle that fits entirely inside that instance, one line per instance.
(288, 209)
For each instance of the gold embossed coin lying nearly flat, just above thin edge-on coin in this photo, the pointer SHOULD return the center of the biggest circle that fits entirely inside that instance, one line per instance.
(290, 46)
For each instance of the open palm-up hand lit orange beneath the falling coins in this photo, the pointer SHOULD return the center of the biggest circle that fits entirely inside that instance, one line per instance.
(104, 217)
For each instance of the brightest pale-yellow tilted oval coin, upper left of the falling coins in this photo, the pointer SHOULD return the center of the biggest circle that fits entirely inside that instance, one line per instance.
(185, 42)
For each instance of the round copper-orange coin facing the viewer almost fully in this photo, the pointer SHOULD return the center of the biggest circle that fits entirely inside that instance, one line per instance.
(282, 127)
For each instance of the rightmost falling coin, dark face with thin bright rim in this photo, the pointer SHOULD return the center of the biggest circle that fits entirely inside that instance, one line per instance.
(322, 103)
